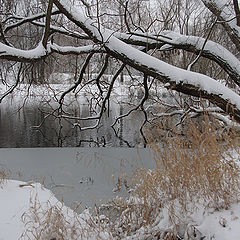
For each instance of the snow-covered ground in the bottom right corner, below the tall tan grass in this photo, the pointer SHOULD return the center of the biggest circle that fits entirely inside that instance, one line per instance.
(207, 225)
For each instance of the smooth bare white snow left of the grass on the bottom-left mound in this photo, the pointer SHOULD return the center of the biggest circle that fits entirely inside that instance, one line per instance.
(14, 201)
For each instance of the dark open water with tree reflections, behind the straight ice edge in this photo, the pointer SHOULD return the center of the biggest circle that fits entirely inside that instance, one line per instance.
(17, 128)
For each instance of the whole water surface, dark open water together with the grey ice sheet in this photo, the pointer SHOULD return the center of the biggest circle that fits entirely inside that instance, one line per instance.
(91, 164)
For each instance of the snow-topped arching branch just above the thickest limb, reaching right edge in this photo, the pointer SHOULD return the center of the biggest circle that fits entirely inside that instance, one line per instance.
(211, 50)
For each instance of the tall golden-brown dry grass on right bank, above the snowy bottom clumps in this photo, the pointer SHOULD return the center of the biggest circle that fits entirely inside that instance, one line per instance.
(196, 169)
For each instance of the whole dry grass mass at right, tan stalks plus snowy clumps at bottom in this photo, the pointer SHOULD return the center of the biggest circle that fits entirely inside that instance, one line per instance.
(196, 170)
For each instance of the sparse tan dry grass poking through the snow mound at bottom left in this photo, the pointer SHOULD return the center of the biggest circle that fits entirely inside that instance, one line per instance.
(56, 222)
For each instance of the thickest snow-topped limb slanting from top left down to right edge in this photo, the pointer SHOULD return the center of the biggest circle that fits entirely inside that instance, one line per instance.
(187, 82)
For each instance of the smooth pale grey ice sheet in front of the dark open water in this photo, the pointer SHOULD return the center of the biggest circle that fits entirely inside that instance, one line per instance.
(78, 176)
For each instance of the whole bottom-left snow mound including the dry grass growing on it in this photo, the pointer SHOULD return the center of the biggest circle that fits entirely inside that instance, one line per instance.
(29, 211)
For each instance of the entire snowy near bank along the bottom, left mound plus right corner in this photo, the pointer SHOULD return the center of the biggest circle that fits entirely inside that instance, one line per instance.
(26, 209)
